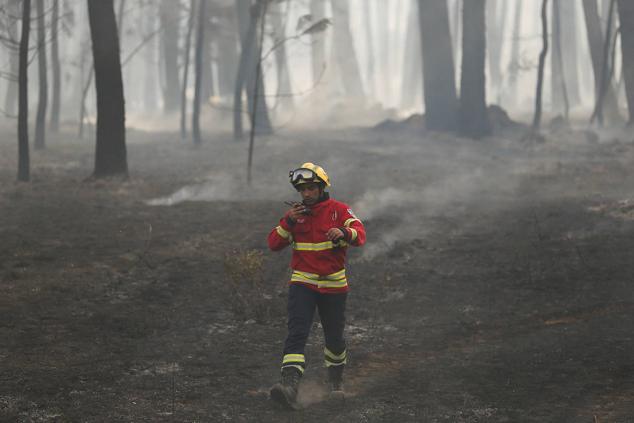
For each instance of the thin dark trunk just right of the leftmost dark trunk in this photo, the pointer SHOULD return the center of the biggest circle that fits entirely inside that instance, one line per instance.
(40, 120)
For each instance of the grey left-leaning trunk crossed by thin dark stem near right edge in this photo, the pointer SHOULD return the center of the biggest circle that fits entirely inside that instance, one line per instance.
(596, 42)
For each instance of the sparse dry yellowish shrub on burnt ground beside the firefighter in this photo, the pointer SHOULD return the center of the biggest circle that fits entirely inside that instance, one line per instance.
(249, 297)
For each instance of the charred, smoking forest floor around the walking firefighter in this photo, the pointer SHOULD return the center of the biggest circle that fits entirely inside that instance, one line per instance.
(496, 284)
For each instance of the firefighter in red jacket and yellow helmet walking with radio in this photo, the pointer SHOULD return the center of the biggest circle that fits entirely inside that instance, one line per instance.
(319, 230)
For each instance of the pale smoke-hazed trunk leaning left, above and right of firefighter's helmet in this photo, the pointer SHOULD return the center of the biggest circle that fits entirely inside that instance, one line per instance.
(344, 51)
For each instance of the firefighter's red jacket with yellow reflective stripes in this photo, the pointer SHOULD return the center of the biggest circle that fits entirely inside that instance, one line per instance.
(318, 262)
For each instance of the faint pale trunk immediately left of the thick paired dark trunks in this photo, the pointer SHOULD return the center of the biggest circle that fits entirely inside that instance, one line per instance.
(413, 72)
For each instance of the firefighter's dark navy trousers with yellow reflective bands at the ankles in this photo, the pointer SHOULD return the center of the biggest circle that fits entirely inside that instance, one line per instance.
(302, 302)
